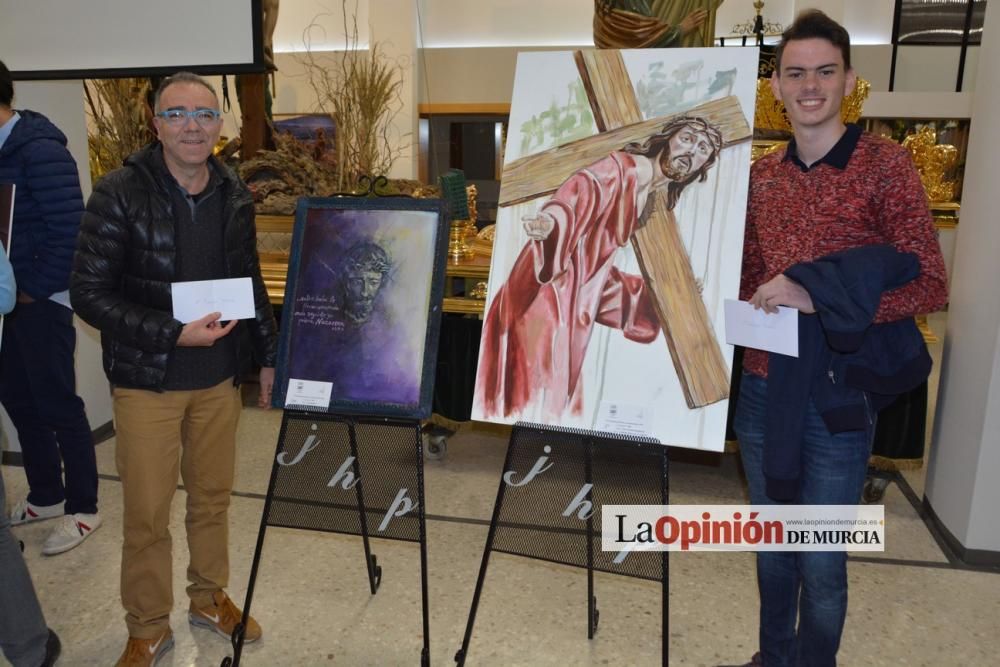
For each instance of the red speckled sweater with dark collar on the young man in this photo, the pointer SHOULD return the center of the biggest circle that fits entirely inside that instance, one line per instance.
(865, 191)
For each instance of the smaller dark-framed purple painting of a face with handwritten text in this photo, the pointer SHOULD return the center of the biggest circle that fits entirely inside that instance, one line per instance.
(362, 306)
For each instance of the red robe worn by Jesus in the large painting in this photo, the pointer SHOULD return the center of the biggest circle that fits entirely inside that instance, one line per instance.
(536, 333)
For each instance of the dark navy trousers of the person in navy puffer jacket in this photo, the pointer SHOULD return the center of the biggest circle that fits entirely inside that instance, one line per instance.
(38, 390)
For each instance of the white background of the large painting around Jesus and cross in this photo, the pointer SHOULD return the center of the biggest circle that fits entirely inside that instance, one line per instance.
(632, 387)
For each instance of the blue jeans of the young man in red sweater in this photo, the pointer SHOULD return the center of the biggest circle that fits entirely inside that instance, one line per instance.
(807, 587)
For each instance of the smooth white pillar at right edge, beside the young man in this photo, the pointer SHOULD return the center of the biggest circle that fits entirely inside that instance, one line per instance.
(965, 452)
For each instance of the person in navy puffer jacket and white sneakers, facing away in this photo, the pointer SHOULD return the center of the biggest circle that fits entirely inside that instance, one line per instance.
(37, 376)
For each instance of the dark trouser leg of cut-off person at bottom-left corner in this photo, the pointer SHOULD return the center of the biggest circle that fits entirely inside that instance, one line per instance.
(23, 632)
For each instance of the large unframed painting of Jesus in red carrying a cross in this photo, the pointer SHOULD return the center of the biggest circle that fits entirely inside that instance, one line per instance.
(619, 235)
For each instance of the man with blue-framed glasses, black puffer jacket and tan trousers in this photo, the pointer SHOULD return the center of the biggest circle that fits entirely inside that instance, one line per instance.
(173, 213)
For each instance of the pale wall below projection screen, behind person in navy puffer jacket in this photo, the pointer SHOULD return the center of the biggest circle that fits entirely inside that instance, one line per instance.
(62, 102)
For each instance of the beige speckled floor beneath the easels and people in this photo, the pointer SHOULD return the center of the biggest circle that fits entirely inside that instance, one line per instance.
(909, 606)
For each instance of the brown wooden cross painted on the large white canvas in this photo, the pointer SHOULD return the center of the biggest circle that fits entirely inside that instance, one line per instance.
(663, 259)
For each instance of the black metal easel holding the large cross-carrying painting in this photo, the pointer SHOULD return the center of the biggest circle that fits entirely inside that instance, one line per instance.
(526, 513)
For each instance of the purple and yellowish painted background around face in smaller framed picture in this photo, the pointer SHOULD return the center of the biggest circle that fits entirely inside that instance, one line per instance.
(379, 360)
